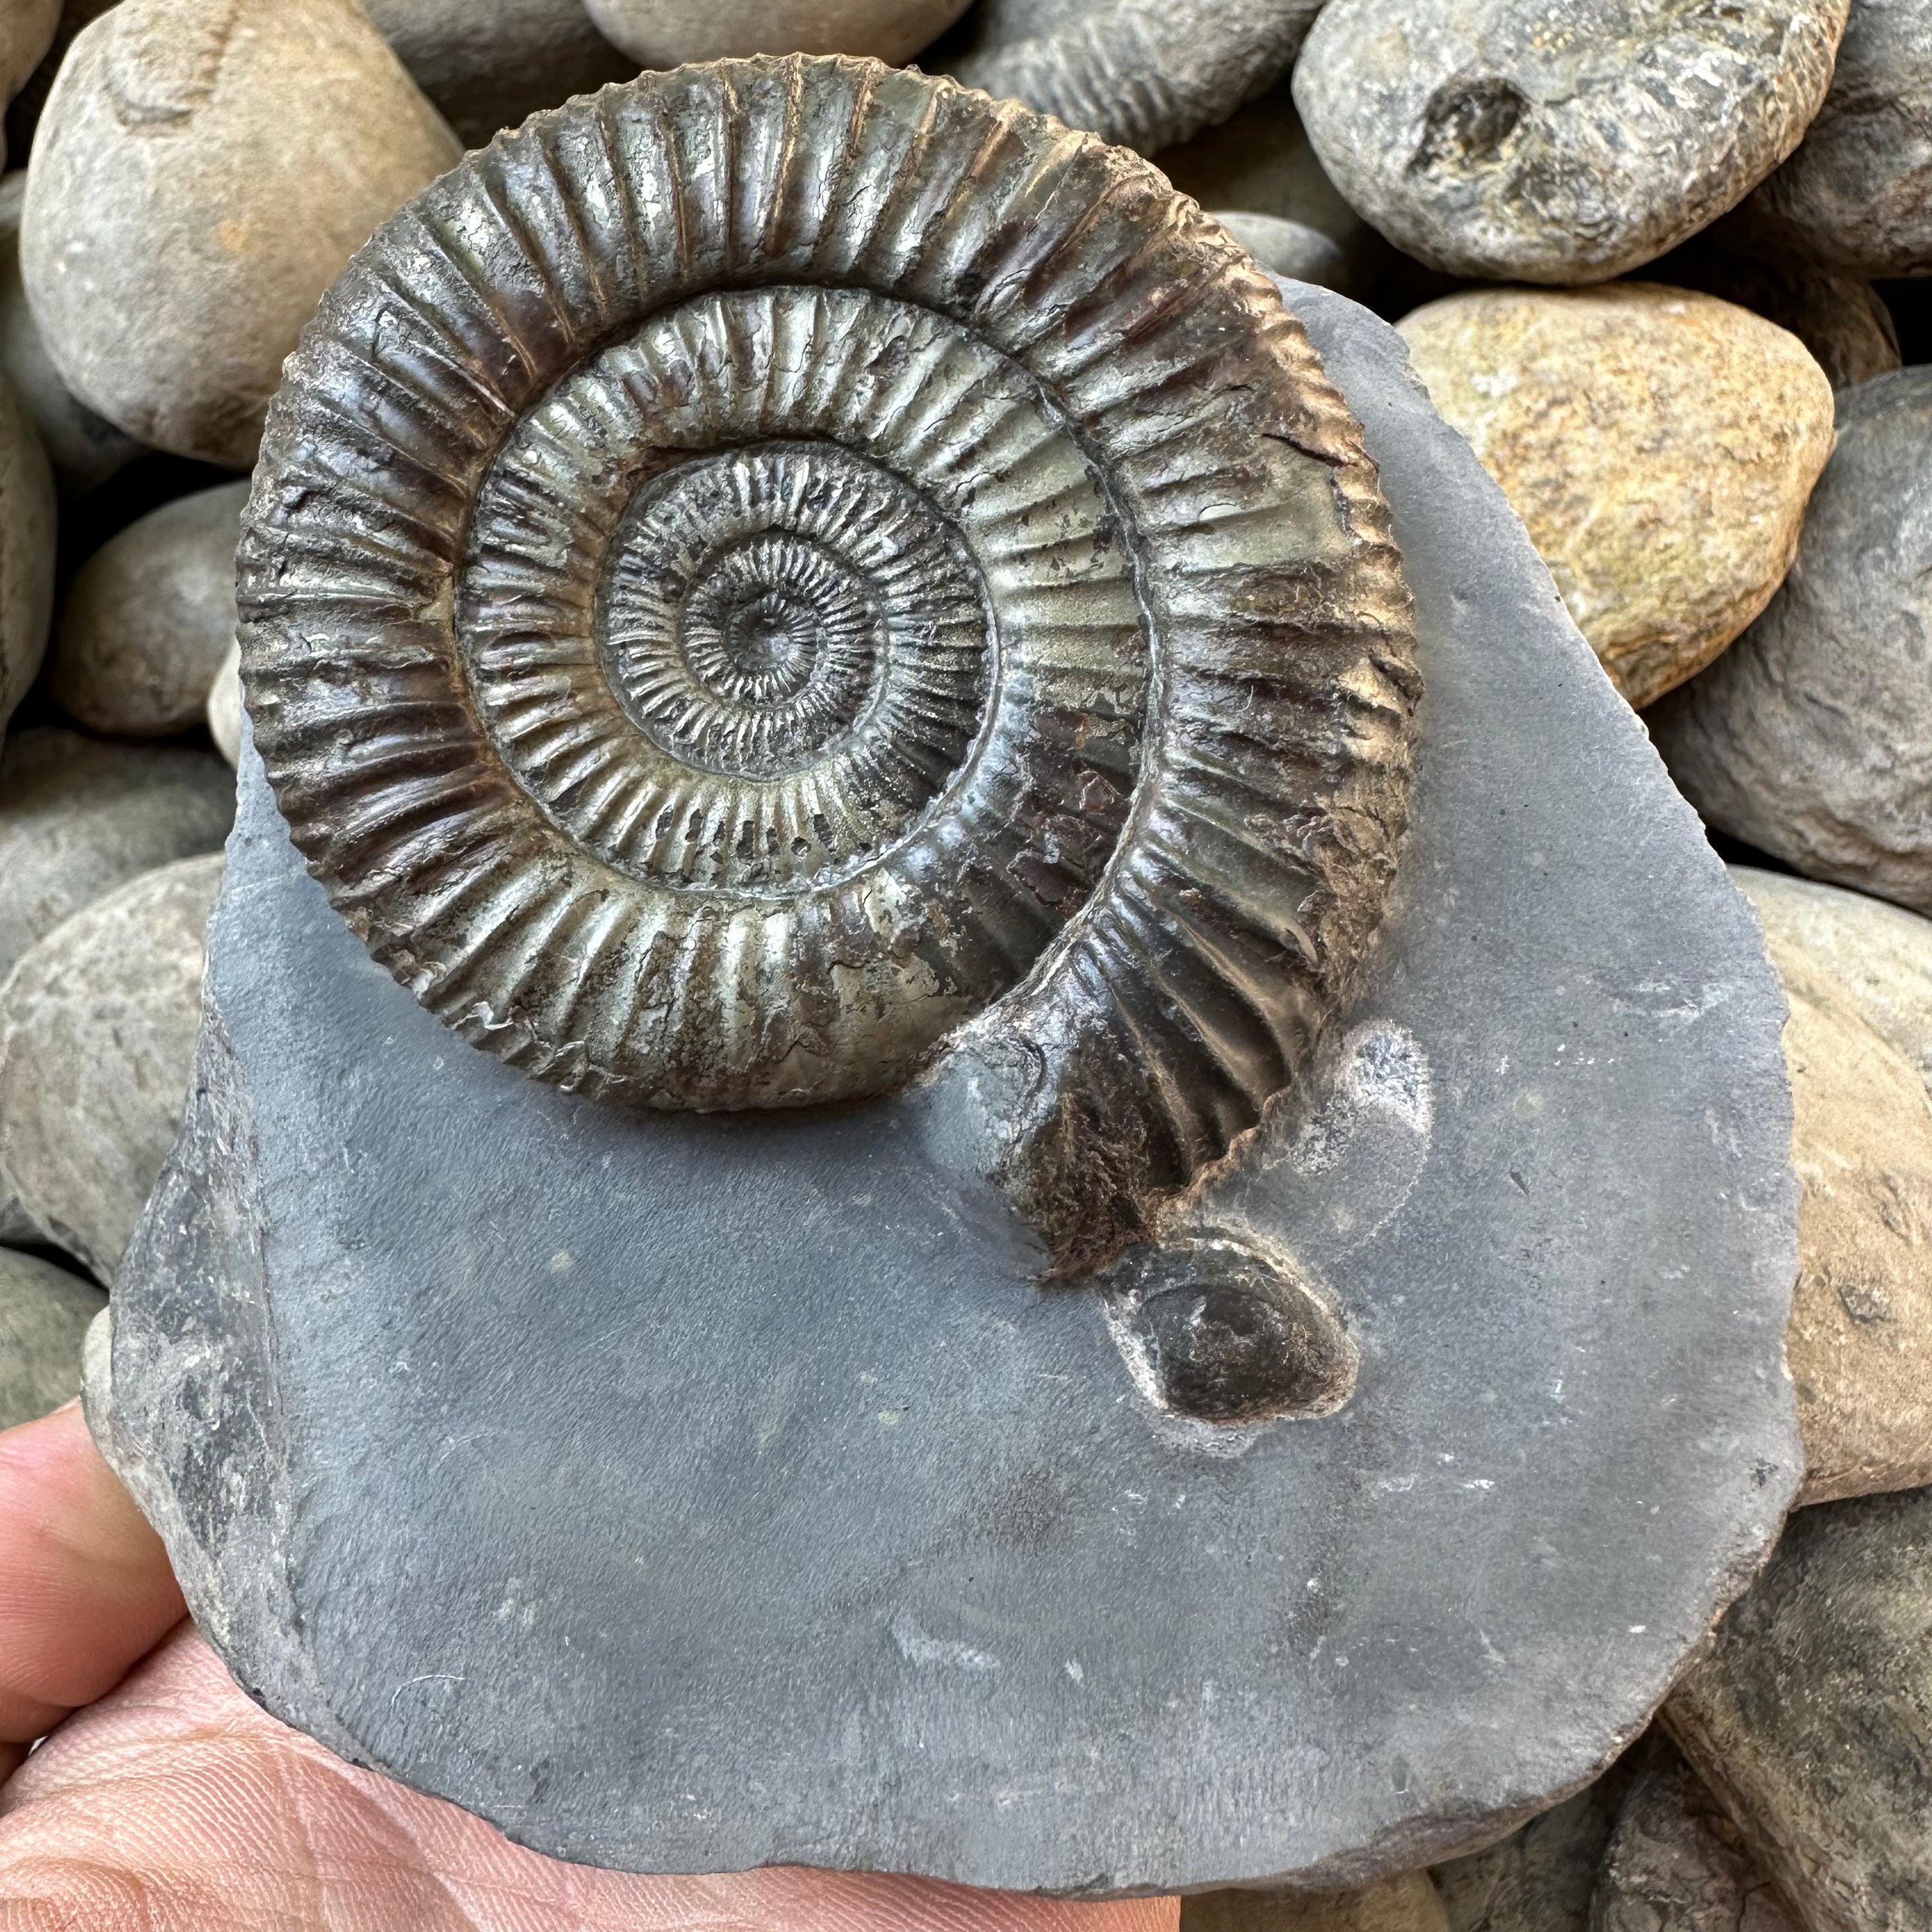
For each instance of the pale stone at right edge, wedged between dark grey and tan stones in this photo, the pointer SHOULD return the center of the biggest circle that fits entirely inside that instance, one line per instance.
(1879, 953)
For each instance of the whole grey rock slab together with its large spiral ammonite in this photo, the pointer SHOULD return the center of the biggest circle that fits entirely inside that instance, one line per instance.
(1054, 1133)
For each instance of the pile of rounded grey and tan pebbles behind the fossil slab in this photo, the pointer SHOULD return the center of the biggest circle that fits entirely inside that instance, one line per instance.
(1659, 262)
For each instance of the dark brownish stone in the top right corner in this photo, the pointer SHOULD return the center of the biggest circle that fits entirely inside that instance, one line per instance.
(1854, 196)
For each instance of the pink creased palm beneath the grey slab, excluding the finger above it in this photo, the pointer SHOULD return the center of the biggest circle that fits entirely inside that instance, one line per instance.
(177, 1805)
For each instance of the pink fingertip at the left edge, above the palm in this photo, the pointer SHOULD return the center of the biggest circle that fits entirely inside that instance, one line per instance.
(86, 1587)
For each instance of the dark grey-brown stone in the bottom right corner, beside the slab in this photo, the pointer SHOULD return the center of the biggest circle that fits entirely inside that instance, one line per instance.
(1809, 1717)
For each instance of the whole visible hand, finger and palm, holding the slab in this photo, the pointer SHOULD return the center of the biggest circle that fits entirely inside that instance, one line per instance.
(171, 1804)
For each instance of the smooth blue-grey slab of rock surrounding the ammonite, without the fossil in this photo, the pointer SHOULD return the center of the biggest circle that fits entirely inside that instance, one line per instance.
(696, 1494)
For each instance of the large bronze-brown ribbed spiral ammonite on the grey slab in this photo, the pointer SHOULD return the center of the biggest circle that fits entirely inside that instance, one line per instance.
(787, 565)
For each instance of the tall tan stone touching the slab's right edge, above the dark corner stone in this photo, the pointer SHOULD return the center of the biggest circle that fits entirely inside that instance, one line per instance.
(1861, 1319)
